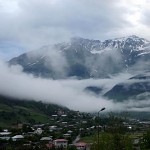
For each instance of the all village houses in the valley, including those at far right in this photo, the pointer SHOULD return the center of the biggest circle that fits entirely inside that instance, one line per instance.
(70, 127)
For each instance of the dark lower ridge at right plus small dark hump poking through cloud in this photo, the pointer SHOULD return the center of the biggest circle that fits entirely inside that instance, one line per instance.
(135, 88)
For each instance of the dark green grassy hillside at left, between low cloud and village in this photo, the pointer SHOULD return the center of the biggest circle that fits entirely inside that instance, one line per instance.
(15, 111)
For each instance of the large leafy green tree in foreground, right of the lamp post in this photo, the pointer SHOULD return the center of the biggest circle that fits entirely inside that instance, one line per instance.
(114, 137)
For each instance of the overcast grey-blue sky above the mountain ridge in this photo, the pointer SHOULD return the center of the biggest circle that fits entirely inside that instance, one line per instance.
(29, 24)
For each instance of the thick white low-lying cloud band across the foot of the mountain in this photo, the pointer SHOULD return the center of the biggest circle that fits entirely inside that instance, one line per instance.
(69, 93)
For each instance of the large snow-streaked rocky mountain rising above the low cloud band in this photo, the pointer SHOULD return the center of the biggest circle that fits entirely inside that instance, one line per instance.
(84, 58)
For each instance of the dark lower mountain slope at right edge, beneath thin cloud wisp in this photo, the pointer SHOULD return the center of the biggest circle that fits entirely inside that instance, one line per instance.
(130, 91)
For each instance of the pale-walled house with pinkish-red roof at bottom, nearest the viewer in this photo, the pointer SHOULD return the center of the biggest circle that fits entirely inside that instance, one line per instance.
(61, 143)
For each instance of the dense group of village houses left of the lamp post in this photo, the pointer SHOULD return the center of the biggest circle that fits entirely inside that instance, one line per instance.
(63, 123)
